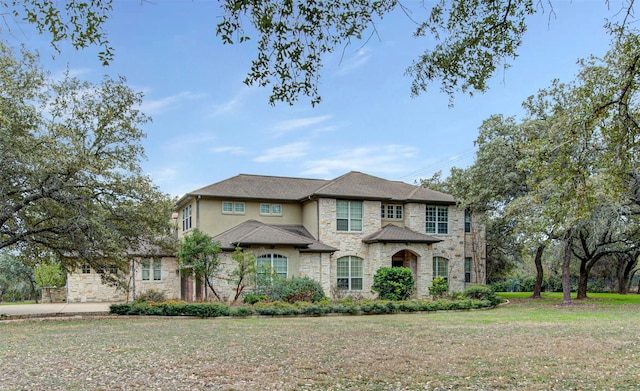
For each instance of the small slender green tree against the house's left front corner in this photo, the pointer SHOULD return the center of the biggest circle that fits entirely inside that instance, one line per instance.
(199, 254)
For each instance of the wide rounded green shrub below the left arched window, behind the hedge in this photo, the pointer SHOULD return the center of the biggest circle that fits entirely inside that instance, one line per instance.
(291, 290)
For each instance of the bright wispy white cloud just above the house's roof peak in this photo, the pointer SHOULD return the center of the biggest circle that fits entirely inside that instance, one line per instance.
(385, 159)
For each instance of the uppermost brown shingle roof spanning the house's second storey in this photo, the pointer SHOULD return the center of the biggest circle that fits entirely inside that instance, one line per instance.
(354, 185)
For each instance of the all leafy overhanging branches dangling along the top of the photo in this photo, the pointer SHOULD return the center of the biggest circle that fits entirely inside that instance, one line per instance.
(473, 38)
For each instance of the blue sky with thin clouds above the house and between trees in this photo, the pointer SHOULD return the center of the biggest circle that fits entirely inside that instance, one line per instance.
(208, 126)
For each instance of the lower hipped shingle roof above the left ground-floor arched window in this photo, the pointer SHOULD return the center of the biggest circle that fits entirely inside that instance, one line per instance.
(252, 232)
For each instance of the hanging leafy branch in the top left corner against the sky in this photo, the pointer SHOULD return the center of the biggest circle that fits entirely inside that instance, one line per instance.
(78, 22)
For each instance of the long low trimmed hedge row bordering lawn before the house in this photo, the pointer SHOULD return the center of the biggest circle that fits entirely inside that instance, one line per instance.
(473, 298)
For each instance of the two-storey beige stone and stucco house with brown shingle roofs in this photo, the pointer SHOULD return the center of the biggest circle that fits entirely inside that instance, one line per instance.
(337, 232)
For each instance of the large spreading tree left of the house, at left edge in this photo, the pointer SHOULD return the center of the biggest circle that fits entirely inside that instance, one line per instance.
(71, 185)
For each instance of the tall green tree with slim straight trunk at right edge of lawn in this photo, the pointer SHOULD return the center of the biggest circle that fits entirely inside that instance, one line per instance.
(591, 142)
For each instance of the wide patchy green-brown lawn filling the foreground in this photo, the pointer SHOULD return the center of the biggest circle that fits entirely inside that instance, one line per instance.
(524, 345)
